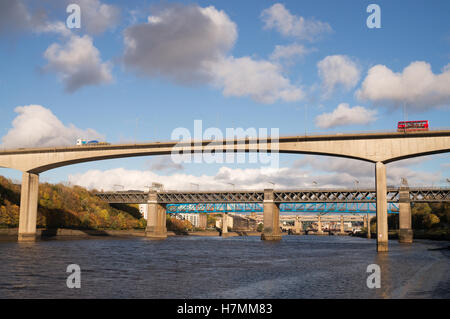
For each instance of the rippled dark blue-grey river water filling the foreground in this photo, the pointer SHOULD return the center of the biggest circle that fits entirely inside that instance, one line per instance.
(214, 267)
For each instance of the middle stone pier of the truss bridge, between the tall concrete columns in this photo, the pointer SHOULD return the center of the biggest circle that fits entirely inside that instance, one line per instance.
(271, 217)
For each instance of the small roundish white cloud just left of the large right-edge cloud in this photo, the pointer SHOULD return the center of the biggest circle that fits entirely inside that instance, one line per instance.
(338, 70)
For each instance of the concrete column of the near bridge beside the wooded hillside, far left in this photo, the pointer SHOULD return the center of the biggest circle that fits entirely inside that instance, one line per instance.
(28, 207)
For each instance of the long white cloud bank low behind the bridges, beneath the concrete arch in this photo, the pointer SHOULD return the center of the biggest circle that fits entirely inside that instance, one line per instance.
(310, 172)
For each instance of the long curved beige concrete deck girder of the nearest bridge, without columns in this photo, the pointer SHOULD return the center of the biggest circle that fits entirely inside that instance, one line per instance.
(380, 147)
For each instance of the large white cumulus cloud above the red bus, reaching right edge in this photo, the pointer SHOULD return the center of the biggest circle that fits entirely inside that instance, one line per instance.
(416, 86)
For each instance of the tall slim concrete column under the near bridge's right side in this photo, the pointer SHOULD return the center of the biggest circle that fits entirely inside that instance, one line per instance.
(382, 225)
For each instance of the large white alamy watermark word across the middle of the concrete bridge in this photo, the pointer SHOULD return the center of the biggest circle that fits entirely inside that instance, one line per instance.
(235, 146)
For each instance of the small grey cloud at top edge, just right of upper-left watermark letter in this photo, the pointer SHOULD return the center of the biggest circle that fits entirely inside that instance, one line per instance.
(97, 17)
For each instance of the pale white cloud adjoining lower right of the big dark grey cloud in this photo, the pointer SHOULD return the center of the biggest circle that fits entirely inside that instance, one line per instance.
(262, 80)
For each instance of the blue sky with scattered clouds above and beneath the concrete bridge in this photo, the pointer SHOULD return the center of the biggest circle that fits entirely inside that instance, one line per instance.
(135, 71)
